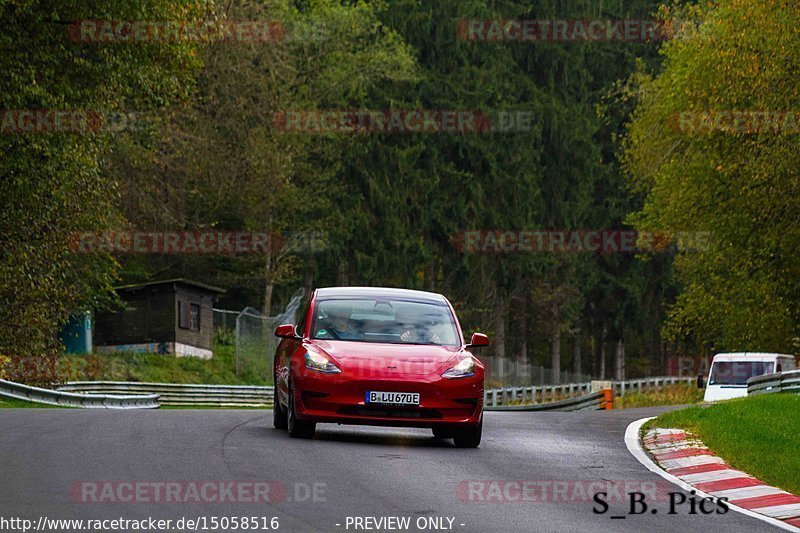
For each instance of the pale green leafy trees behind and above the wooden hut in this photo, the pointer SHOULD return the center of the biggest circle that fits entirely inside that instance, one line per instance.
(220, 163)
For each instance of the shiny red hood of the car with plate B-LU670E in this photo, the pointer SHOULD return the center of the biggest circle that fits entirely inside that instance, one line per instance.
(368, 358)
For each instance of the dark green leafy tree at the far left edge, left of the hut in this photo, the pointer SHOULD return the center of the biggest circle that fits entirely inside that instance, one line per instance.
(53, 185)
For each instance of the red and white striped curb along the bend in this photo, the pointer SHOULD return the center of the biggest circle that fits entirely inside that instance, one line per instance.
(690, 465)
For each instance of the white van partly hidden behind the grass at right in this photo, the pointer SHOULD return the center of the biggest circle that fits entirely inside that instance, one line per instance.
(729, 372)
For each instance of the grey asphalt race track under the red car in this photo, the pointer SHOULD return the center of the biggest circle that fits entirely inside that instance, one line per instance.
(48, 458)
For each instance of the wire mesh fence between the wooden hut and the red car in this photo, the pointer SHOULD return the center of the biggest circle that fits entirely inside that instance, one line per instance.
(251, 335)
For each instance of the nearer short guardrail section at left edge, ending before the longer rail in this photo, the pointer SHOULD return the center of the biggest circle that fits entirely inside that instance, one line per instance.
(18, 391)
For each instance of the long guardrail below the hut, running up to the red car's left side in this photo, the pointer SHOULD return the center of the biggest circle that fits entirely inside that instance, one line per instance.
(183, 394)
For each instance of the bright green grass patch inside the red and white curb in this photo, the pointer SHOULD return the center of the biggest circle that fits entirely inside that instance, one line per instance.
(759, 435)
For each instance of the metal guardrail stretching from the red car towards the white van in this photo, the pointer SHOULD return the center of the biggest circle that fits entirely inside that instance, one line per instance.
(551, 393)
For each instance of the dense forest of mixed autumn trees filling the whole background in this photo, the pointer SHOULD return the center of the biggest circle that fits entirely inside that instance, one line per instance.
(188, 131)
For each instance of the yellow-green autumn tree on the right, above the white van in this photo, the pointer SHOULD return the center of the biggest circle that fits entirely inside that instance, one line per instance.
(742, 187)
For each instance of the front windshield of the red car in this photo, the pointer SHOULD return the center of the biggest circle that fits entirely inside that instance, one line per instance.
(384, 320)
